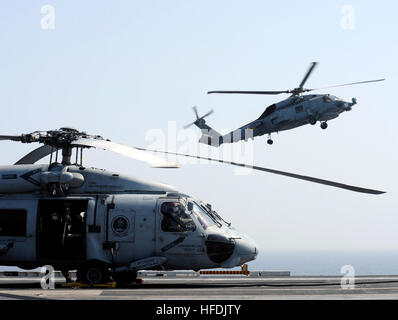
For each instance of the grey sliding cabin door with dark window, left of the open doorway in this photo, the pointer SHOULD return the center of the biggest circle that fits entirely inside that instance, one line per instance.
(18, 230)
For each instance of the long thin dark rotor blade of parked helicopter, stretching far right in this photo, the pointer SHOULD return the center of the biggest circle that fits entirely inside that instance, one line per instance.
(283, 173)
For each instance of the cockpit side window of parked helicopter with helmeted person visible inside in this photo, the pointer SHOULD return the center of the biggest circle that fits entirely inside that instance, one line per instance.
(176, 218)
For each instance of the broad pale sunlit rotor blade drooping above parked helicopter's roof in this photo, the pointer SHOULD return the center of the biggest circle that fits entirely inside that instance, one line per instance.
(127, 151)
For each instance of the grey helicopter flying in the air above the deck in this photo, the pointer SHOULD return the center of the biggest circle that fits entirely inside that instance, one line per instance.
(295, 111)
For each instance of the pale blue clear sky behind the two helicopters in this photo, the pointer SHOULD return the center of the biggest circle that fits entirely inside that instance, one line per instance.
(123, 68)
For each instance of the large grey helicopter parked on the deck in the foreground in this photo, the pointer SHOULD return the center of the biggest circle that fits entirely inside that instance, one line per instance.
(108, 225)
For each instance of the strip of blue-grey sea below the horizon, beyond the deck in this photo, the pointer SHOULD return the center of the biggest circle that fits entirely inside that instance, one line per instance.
(321, 262)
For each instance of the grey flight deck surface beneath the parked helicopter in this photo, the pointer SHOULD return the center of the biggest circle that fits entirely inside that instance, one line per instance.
(211, 288)
